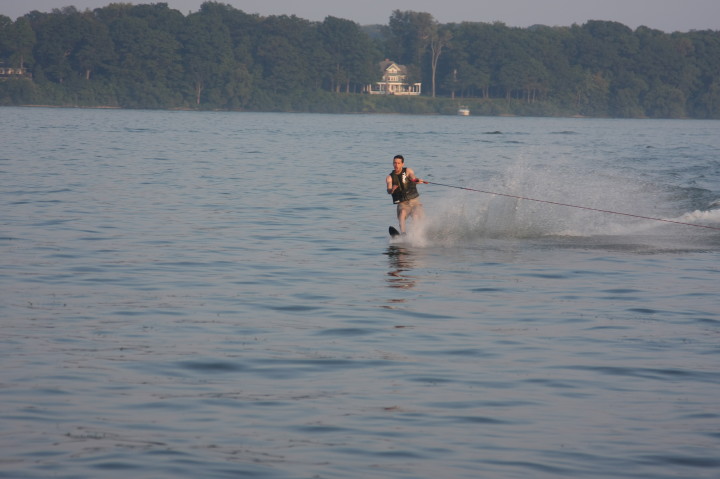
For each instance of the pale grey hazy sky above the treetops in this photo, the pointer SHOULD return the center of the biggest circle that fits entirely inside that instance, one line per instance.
(666, 15)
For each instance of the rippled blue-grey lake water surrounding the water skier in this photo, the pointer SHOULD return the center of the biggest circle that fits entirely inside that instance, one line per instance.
(215, 295)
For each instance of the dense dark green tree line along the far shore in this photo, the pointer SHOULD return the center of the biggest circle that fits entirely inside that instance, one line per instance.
(151, 56)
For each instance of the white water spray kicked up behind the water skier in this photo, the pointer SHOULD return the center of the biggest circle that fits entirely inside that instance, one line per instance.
(574, 204)
